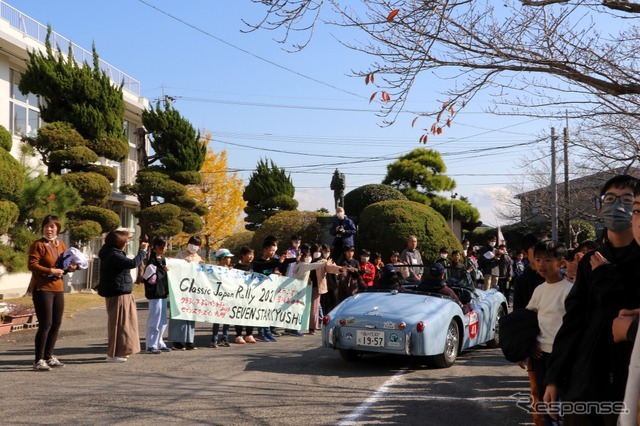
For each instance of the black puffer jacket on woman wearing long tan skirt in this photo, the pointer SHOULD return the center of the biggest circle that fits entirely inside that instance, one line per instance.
(115, 275)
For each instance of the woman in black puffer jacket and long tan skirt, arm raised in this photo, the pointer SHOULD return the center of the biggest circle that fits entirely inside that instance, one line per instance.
(116, 286)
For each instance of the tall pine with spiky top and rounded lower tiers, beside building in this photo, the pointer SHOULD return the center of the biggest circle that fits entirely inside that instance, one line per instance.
(85, 112)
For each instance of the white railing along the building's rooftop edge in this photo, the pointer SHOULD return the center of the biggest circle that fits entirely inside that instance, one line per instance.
(37, 31)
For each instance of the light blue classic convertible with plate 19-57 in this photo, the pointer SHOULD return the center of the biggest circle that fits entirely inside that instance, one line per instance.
(415, 324)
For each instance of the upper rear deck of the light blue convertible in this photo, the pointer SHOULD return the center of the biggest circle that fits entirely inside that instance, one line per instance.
(390, 305)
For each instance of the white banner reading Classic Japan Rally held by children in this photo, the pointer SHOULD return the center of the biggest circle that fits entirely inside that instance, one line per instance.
(215, 294)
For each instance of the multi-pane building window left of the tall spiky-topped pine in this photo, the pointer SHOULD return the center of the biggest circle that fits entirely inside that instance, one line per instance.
(24, 109)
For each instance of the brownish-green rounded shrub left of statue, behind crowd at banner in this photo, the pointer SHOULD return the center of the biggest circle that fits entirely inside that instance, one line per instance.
(284, 224)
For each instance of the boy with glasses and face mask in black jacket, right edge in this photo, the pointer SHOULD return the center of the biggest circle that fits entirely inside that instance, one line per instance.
(586, 362)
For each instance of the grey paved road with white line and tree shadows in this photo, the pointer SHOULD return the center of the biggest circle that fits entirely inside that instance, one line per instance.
(293, 381)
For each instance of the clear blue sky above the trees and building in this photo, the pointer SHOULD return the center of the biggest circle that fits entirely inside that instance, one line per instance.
(303, 110)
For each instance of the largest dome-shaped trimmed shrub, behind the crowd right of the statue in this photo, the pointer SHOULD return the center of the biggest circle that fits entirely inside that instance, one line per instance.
(385, 226)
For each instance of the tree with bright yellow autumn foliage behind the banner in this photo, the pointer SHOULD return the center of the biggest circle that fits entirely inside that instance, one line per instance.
(221, 191)
